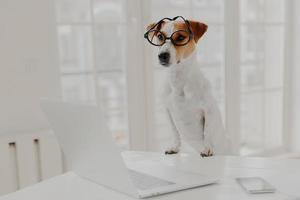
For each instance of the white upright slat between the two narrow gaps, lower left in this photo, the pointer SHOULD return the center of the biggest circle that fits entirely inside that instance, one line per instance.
(27, 160)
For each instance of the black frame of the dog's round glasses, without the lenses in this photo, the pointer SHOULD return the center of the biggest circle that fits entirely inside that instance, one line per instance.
(170, 38)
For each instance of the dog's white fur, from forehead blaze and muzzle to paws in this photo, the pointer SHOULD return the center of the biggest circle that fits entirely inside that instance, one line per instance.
(192, 110)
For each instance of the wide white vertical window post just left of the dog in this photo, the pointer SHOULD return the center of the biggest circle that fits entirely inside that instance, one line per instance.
(136, 81)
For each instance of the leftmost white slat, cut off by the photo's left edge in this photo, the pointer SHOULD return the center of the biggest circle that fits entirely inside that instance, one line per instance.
(8, 180)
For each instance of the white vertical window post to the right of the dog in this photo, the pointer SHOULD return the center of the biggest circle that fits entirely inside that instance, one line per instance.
(232, 71)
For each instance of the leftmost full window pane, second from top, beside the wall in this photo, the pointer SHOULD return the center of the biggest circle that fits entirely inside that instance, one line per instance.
(75, 48)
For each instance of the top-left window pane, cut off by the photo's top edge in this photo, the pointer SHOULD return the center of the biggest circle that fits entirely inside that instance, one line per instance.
(73, 11)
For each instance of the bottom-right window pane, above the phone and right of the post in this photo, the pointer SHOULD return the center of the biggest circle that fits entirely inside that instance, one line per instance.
(261, 120)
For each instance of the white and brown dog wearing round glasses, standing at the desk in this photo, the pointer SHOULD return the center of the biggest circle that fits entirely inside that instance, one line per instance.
(191, 108)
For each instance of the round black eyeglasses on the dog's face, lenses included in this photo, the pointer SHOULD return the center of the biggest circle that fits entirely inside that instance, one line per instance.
(178, 38)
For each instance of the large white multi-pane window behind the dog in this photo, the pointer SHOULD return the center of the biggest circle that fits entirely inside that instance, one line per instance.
(101, 51)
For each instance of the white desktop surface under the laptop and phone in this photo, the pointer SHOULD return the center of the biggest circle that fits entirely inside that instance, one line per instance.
(282, 173)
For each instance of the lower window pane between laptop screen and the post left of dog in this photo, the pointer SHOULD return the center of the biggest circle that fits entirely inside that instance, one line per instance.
(113, 97)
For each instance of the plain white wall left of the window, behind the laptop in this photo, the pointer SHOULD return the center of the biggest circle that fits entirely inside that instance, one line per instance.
(28, 63)
